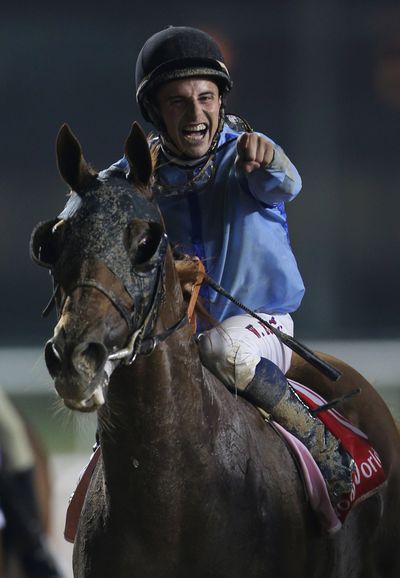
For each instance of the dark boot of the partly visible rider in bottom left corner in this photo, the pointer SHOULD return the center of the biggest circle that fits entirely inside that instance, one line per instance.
(23, 526)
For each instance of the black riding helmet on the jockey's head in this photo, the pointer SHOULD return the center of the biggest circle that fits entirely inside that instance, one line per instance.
(173, 53)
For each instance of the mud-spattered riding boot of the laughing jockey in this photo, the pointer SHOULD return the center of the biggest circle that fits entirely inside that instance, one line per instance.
(270, 390)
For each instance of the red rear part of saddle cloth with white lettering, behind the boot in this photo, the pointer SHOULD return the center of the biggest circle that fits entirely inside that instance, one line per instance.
(368, 475)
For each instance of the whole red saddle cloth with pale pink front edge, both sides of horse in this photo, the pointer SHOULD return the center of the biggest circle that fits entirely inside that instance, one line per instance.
(368, 475)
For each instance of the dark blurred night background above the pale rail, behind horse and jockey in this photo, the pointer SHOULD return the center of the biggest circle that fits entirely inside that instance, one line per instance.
(322, 78)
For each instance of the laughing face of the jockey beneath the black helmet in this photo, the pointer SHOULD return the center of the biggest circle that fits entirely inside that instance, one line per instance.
(190, 109)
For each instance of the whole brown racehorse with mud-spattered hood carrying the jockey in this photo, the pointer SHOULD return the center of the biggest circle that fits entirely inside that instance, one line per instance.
(192, 480)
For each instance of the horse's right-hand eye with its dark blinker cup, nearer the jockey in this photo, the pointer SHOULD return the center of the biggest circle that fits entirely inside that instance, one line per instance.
(141, 241)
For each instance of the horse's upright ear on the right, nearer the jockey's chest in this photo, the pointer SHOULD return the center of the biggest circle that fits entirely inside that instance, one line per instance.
(137, 153)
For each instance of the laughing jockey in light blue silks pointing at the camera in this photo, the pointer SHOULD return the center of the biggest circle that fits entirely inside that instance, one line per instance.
(222, 190)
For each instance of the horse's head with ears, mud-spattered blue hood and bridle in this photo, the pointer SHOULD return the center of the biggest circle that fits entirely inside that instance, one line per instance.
(107, 260)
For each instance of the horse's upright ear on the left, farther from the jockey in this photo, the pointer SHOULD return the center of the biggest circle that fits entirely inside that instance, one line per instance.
(71, 163)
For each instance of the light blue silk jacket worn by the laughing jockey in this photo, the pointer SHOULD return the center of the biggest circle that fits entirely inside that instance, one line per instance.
(236, 223)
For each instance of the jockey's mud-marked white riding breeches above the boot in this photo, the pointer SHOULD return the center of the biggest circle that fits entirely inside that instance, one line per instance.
(233, 349)
